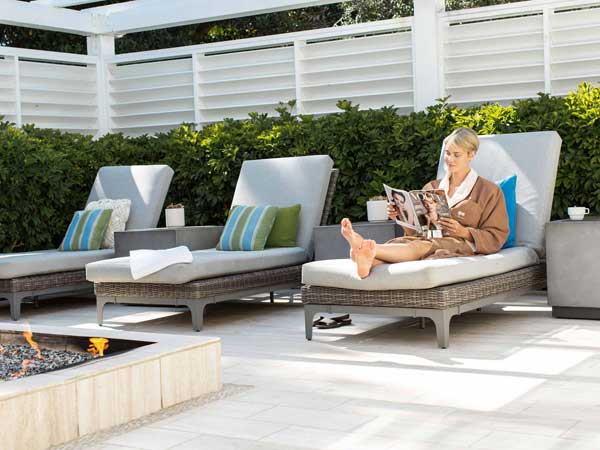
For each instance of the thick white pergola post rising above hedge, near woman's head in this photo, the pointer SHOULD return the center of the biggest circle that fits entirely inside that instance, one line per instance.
(427, 49)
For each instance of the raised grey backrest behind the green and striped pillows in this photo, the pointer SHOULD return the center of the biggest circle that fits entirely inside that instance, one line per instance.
(285, 182)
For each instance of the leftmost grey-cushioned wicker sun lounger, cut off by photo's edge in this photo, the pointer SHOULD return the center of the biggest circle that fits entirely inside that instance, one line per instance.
(38, 273)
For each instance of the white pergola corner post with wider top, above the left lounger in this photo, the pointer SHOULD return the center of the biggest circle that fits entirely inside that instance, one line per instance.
(102, 46)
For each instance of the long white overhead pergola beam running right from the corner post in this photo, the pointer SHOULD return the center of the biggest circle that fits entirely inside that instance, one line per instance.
(152, 14)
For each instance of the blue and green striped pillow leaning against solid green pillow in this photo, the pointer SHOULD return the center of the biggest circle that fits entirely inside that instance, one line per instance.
(247, 228)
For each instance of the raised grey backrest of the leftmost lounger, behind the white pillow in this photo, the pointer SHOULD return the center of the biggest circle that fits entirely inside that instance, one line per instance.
(145, 186)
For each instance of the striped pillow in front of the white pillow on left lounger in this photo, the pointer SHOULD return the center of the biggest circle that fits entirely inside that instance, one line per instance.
(86, 230)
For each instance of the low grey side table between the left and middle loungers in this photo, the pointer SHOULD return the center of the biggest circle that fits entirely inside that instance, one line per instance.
(195, 238)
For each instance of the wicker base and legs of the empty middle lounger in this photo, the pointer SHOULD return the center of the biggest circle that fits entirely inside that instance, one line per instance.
(196, 295)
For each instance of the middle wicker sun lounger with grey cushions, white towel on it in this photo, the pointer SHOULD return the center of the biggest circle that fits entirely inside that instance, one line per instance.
(216, 276)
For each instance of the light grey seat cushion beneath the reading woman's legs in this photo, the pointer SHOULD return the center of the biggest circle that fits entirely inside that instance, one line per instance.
(341, 273)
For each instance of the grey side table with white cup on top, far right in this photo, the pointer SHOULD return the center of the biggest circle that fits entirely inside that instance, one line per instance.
(572, 255)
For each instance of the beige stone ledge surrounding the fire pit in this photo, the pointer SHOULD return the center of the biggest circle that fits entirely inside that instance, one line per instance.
(49, 409)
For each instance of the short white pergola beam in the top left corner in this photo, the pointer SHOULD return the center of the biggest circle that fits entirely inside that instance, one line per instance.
(23, 14)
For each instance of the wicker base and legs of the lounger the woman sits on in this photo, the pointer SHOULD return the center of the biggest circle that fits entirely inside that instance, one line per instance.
(439, 304)
